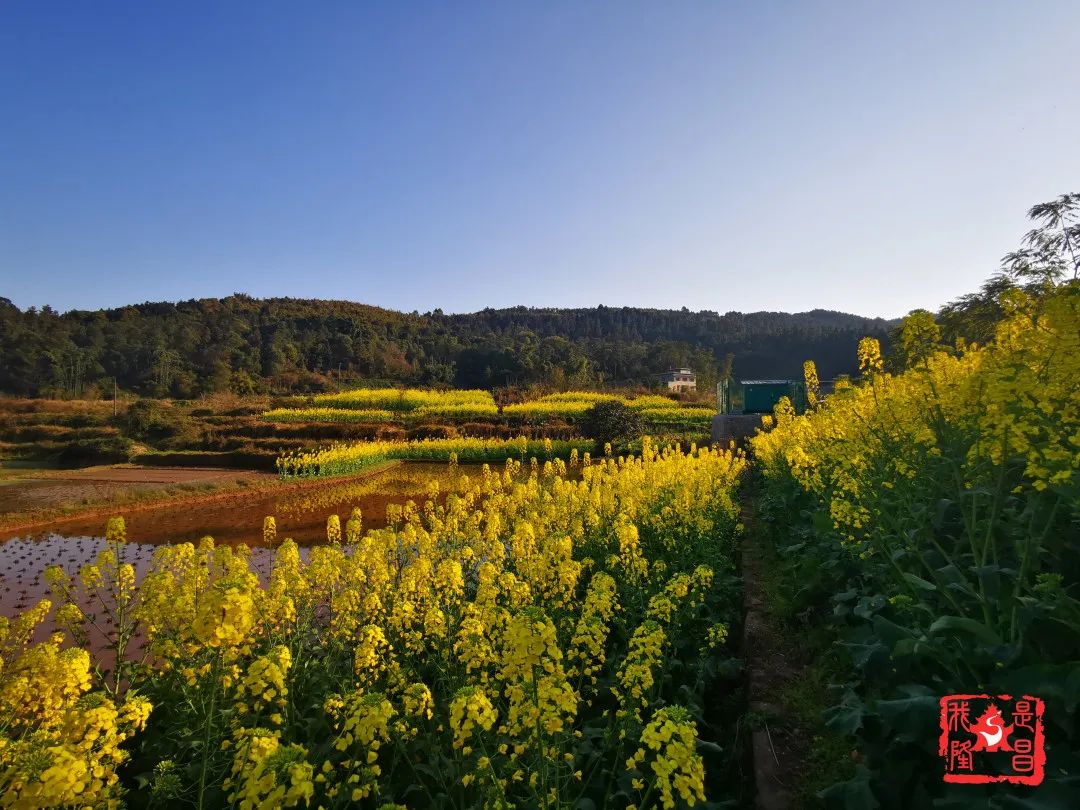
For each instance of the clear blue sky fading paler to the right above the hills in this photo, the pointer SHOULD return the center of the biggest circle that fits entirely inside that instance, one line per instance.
(865, 157)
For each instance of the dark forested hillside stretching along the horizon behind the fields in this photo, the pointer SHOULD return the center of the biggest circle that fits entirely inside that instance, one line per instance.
(247, 345)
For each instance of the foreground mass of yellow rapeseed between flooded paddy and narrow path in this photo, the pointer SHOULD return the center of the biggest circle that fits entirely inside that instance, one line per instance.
(482, 629)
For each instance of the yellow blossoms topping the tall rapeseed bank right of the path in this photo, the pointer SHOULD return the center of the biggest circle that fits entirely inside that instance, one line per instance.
(1018, 399)
